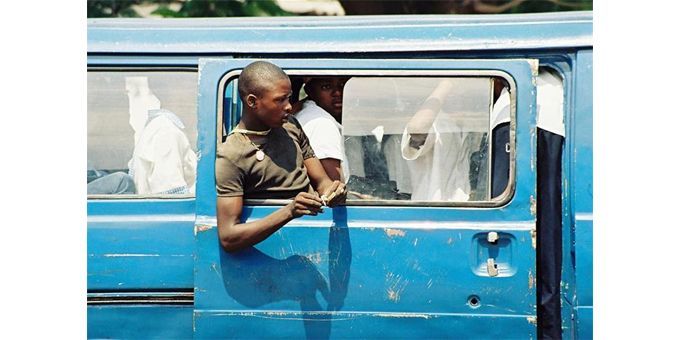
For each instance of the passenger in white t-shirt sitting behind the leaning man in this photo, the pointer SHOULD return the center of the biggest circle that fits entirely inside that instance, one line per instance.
(320, 115)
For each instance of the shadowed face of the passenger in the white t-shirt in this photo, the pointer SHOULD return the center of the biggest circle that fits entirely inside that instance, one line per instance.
(327, 93)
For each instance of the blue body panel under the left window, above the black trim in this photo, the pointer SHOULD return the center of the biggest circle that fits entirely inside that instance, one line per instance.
(140, 244)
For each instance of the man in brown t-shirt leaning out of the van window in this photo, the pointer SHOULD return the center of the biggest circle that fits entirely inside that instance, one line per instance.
(267, 155)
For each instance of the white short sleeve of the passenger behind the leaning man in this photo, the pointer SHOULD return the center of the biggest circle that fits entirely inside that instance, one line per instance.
(325, 138)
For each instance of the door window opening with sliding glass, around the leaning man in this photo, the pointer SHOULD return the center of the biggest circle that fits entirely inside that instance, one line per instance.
(472, 124)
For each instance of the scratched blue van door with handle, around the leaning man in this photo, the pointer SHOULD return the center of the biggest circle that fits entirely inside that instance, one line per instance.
(382, 267)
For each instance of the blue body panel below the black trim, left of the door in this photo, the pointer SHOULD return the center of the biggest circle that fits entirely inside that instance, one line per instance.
(139, 322)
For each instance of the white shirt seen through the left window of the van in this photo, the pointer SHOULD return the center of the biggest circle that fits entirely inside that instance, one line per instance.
(163, 161)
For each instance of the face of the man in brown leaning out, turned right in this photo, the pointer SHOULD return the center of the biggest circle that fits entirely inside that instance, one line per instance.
(274, 104)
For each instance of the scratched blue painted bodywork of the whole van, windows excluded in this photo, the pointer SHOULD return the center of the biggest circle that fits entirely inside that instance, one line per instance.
(166, 227)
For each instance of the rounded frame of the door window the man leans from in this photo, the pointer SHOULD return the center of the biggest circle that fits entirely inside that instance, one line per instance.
(499, 201)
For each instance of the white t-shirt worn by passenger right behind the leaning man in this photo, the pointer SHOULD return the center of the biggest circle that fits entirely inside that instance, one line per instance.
(324, 134)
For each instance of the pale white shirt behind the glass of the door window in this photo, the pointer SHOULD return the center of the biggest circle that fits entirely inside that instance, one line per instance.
(440, 167)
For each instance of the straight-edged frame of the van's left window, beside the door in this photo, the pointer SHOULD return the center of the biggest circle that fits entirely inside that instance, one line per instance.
(150, 69)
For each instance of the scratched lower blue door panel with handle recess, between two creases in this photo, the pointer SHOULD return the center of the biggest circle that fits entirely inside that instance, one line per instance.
(365, 269)
